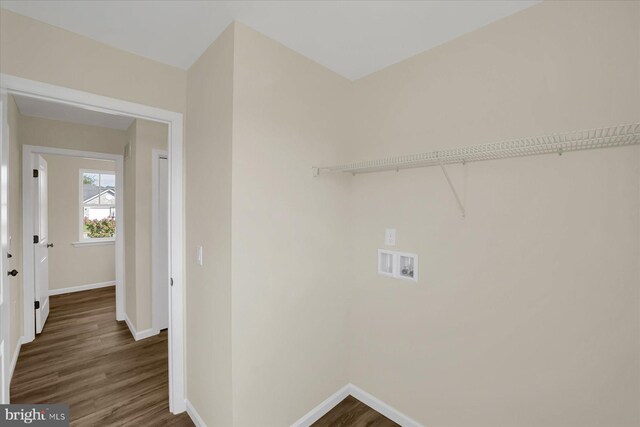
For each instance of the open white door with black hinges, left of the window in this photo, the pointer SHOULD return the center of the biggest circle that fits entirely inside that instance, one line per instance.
(41, 242)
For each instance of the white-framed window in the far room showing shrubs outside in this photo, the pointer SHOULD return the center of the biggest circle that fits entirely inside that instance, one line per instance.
(97, 205)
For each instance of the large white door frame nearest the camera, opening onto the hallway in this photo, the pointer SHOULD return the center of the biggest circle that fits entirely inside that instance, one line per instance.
(175, 122)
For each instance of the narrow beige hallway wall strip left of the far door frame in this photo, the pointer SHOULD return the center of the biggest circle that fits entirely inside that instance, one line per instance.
(15, 226)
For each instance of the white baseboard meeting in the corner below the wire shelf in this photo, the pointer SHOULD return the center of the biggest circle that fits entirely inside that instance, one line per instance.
(316, 413)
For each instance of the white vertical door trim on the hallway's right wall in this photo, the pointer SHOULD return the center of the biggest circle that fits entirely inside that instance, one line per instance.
(156, 287)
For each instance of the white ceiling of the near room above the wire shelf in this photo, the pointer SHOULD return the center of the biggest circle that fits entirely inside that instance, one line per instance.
(352, 38)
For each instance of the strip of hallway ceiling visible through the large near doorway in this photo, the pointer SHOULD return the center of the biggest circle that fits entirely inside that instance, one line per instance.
(65, 113)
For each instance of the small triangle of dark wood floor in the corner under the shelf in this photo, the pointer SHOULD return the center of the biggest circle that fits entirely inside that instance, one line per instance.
(351, 412)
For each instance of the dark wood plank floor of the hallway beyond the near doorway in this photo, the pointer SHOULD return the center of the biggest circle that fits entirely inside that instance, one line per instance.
(87, 359)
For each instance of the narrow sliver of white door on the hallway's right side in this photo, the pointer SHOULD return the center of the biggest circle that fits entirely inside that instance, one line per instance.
(163, 242)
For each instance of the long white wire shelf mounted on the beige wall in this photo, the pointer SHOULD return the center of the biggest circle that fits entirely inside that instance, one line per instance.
(615, 136)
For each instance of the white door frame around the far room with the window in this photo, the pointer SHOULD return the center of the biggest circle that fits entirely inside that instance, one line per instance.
(29, 152)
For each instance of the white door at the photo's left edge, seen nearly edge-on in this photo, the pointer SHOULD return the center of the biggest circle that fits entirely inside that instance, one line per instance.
(4, 265)
